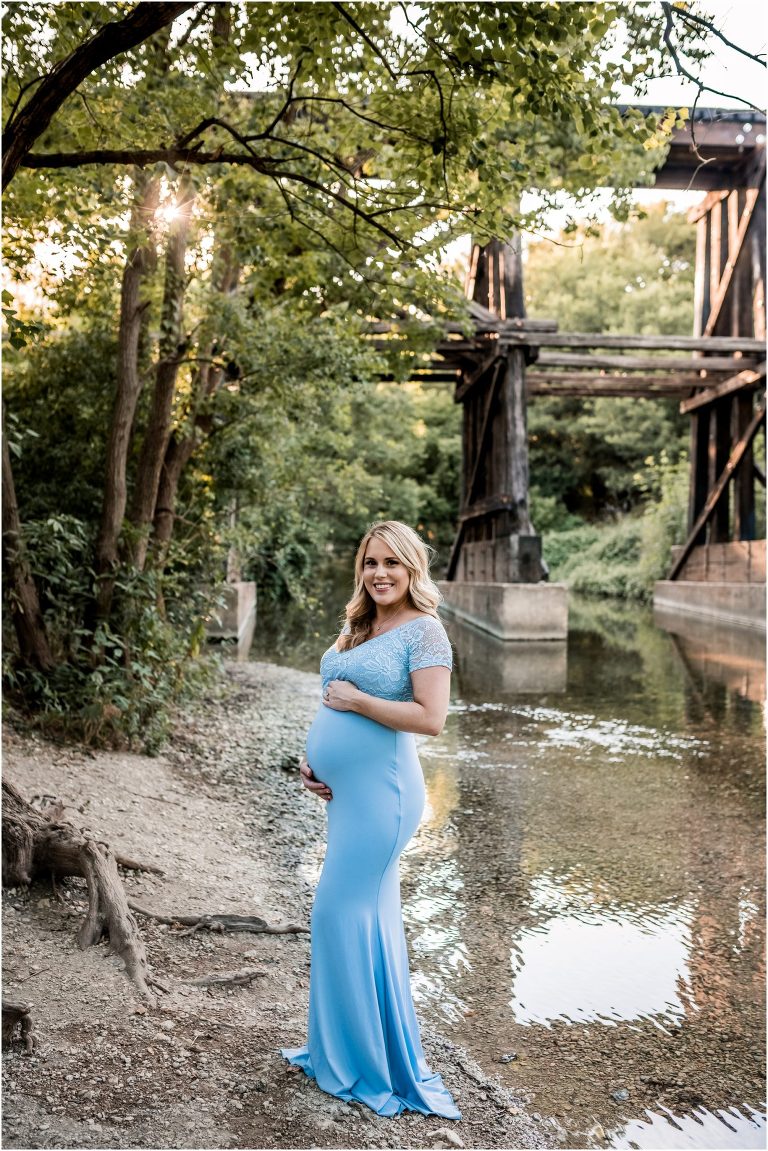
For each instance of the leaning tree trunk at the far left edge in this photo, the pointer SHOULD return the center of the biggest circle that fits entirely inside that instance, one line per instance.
(25, 601)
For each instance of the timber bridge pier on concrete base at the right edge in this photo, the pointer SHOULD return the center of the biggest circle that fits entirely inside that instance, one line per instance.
(719, 571)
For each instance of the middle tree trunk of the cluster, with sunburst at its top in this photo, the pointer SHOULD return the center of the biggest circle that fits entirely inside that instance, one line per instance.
(158, 432)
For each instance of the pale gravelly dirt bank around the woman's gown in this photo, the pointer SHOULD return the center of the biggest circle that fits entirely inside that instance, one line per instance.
(223, 814)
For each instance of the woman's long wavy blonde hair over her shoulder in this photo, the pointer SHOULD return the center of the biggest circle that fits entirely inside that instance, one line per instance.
(415, 555)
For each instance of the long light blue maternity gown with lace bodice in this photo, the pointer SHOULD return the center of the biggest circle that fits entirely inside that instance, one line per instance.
(363, 1039)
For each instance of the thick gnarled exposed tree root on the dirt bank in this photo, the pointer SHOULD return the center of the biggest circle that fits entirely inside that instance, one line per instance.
(35, 848)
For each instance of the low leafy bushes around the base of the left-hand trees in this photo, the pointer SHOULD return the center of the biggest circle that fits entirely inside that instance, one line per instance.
(118, 685)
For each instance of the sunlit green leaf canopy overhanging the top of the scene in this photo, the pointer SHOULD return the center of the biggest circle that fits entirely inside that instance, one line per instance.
(381, 128)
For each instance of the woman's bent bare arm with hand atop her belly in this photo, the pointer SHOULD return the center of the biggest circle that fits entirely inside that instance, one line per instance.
(425, 716)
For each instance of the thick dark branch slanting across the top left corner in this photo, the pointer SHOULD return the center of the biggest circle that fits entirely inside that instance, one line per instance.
(111, 41)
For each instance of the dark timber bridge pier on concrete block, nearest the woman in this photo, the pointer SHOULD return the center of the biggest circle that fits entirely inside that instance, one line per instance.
(496, 578)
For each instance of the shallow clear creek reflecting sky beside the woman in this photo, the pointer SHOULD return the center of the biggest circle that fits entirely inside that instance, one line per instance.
(584, 902)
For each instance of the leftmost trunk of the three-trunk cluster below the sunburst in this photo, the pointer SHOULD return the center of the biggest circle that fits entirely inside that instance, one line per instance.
(141, 261)
